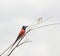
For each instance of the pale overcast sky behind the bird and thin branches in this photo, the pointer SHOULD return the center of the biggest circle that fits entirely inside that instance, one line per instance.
(16, 13)
